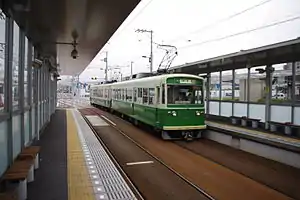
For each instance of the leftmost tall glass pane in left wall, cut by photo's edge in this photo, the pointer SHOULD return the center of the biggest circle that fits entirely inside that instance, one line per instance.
(2, 60)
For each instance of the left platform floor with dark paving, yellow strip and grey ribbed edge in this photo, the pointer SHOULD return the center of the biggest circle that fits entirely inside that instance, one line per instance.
(74, 165)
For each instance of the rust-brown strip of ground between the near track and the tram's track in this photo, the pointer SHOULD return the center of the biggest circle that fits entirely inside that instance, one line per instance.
(216, 180)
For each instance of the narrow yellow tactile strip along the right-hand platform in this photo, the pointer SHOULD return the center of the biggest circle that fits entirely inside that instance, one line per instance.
(283, 138)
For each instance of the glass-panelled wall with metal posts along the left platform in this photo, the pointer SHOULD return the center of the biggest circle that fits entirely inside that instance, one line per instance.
(27, 94)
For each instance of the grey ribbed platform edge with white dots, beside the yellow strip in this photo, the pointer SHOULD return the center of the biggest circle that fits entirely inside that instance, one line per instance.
(107, 182)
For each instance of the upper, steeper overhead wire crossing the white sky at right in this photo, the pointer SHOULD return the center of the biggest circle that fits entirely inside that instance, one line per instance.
(223, 20)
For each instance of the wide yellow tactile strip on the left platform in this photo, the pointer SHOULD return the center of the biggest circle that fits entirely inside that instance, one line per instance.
(79, 183)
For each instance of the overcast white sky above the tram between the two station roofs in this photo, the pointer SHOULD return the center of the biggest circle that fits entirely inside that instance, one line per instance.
(199, 30)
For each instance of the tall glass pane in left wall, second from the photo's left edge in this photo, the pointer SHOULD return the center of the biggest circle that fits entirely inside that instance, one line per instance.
(15, 68)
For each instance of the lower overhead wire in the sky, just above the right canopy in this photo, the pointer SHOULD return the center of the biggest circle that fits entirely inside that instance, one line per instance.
(242, 32)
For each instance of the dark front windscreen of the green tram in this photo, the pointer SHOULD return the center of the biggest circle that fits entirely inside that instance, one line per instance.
(185, 94)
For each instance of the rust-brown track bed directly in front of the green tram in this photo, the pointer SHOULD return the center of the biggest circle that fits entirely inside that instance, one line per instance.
(278, 176)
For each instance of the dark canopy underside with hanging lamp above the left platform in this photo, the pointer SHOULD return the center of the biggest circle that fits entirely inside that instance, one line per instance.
(48, 22)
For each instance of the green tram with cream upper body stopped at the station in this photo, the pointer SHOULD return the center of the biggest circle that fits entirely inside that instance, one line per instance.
(172, 104)
